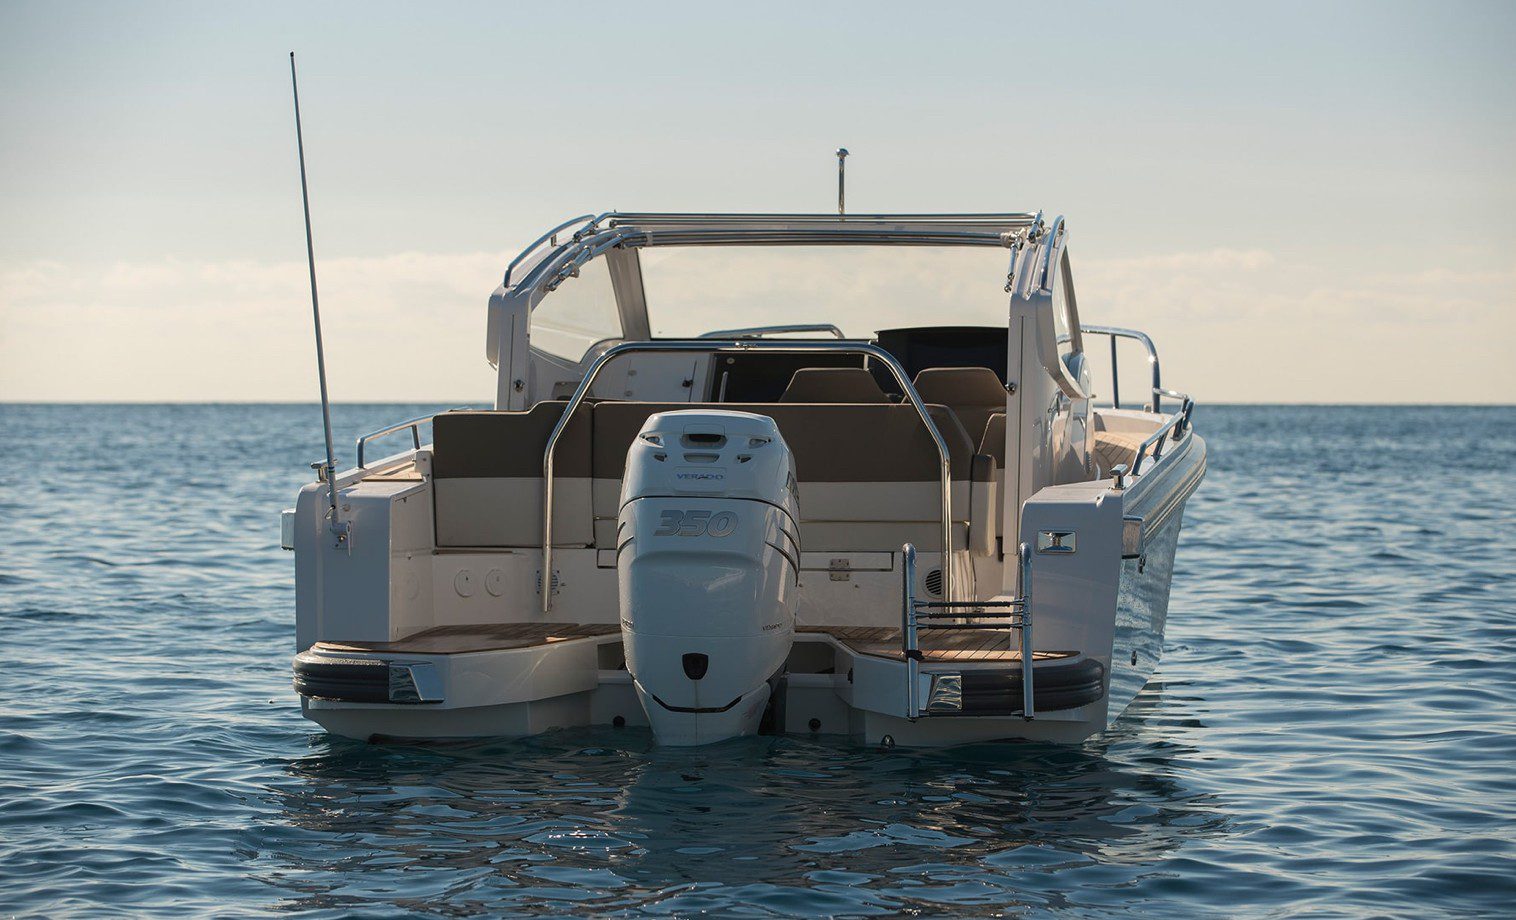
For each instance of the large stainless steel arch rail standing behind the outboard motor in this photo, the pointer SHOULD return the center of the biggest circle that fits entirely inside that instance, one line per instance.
(715, 346)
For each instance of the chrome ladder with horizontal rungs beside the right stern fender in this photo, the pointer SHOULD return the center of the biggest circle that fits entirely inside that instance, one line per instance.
(969, 615)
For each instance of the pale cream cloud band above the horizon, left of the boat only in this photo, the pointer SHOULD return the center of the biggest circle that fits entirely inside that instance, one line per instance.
(398, 328)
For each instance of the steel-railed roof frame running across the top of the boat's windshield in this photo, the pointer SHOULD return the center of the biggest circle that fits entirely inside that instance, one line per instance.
(560, 252)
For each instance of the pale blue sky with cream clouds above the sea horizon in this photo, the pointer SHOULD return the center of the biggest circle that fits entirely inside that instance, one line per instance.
(1300, 202)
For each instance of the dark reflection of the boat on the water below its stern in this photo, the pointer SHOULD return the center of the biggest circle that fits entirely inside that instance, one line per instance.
(601, 819)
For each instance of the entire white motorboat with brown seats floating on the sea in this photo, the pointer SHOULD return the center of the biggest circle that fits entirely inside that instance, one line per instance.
(921, 534)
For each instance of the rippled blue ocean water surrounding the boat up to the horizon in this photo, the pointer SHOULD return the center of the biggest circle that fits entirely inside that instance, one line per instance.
(1332, 731)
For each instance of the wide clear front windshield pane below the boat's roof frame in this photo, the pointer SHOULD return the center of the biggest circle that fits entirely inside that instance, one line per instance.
(860, 289)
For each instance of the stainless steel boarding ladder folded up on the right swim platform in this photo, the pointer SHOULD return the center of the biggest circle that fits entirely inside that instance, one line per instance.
(945, 692)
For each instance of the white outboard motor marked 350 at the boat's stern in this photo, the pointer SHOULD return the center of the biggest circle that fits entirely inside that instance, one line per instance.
(709, 552)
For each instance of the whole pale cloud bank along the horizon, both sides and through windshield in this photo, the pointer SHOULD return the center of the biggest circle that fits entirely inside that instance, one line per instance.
(1232, 325)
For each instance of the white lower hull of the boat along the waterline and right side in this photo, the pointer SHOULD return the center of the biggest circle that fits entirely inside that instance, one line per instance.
(830, 689)
